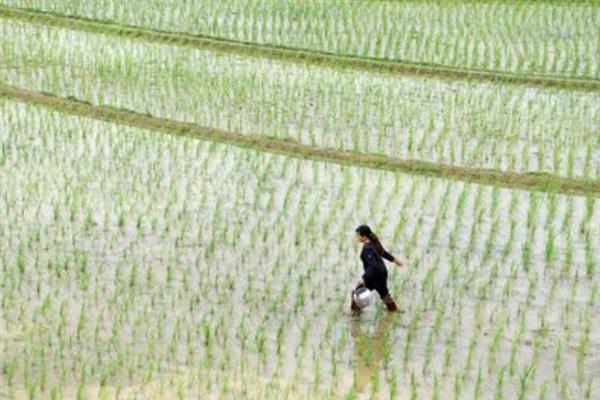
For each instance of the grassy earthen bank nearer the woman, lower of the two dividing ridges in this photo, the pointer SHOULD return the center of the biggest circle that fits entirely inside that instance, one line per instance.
(538, 182)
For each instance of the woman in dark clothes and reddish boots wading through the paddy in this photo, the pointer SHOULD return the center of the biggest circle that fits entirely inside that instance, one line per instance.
(375, 276)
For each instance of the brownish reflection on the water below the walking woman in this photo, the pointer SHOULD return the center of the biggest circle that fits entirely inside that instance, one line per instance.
(370, 349)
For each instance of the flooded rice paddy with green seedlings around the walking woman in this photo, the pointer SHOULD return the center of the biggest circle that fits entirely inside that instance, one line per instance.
(140, 265)
